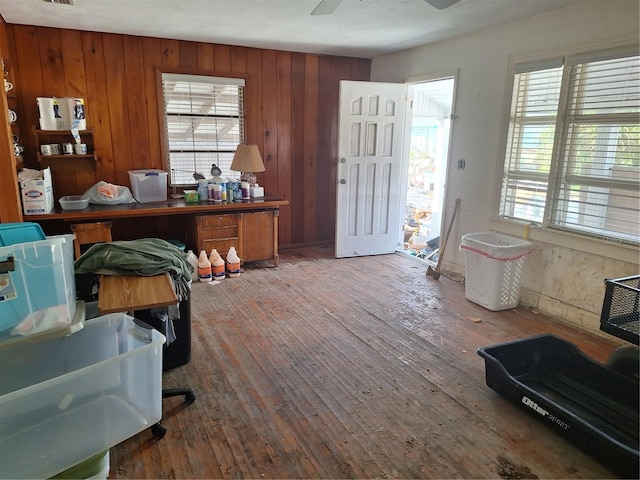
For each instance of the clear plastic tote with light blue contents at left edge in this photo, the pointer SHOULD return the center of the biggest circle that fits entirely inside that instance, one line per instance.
(37, 286)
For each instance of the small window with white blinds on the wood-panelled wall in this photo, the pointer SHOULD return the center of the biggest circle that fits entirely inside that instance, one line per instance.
(204, 119)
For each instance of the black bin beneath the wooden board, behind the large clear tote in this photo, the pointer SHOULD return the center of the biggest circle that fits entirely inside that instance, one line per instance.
(178, 352)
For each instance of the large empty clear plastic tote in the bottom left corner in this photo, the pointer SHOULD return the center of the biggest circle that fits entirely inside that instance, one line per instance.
(65, 400)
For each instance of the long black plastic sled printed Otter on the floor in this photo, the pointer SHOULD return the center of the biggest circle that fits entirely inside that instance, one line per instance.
(592, 406)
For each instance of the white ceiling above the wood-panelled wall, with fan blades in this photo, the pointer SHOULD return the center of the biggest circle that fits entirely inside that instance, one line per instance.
(357, 28)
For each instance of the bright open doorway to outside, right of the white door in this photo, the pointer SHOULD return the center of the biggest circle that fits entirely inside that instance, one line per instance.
(428, 151)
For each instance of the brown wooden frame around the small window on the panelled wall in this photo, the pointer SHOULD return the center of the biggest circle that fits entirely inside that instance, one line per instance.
(162, 117)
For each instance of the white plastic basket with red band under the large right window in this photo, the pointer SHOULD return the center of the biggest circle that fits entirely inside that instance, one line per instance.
(493, 266)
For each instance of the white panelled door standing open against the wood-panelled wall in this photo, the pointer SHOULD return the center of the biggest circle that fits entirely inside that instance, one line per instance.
(370, 163)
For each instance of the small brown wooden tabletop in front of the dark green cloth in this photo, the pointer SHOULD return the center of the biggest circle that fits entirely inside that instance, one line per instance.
(122, 293)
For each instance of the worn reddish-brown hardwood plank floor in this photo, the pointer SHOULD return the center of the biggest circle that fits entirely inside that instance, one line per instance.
(350, 368)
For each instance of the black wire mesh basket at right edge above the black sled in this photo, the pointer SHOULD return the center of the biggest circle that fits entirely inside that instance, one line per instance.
(620, 311)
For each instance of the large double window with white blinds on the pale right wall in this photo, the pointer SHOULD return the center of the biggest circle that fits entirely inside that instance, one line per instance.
(572, 158)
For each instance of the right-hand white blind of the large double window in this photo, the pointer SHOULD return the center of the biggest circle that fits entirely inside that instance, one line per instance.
(598, 187)
